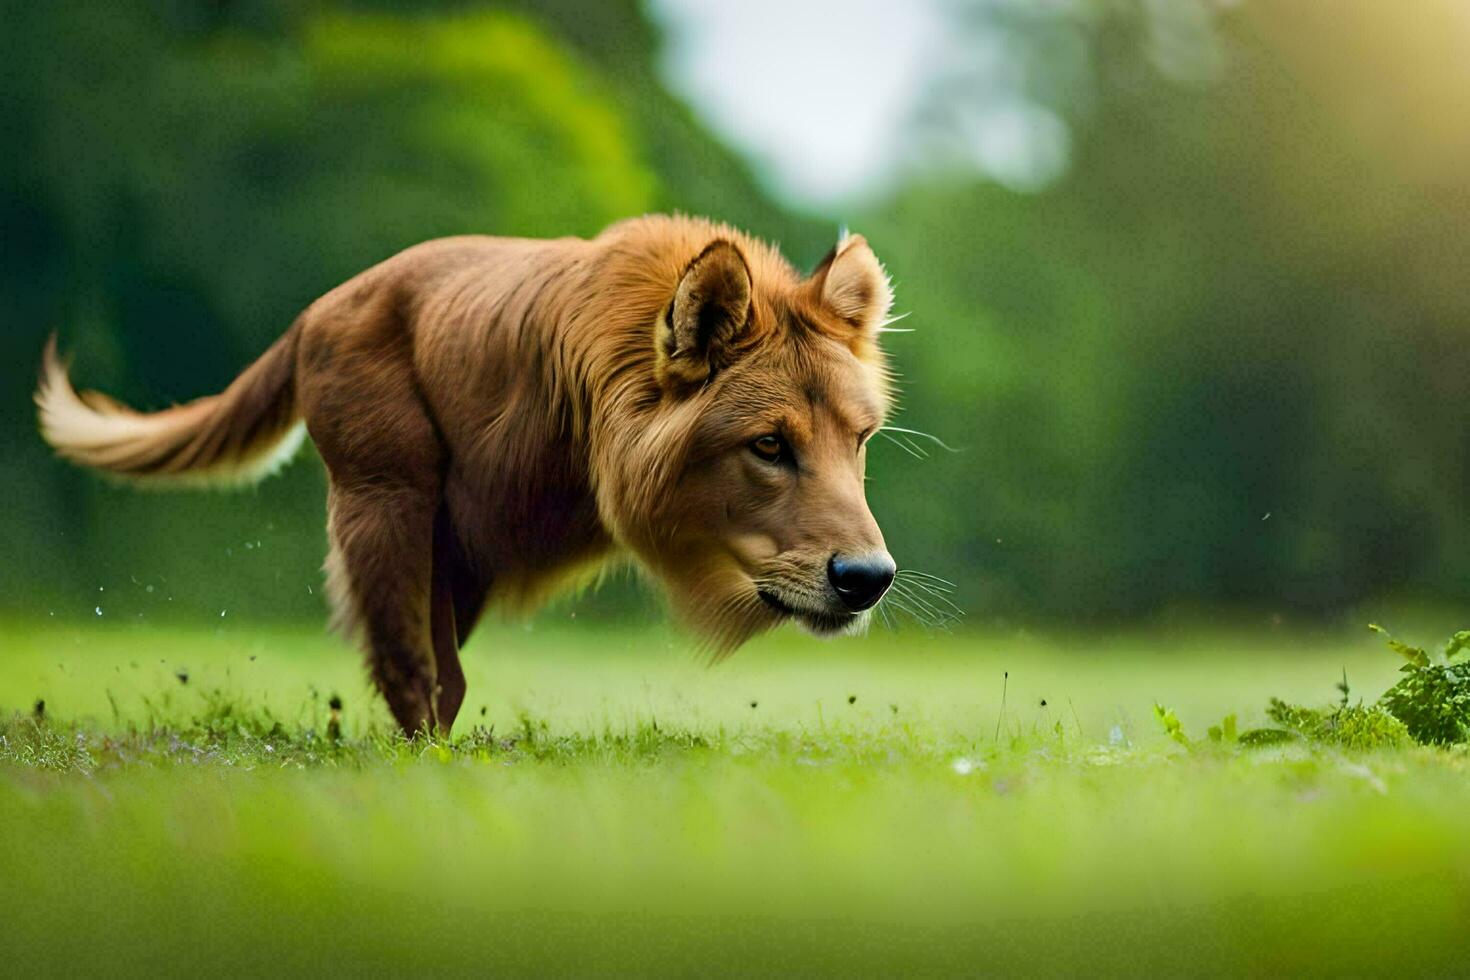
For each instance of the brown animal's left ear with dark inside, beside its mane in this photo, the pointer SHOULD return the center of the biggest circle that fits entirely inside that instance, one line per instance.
(699, 330)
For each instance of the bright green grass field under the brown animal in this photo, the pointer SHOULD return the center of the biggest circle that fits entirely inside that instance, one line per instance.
(611, 806)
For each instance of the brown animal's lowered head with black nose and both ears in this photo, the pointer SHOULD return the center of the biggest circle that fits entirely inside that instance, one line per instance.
(778, 393)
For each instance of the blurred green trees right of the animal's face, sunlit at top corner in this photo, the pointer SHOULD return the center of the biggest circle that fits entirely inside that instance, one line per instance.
(1219, 353)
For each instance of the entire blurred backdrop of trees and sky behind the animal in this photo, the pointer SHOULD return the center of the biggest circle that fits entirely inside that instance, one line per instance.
(1184, 277)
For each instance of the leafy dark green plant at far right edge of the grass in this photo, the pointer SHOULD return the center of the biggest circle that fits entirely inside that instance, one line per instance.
(1433, 700)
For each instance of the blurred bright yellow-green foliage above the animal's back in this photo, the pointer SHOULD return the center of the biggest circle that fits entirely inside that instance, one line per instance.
(486, 98)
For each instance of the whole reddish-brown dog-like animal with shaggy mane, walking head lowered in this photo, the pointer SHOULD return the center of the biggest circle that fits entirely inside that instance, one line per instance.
(502, 417)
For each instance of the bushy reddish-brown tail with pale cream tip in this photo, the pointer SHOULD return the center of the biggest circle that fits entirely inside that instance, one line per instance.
(237, 437)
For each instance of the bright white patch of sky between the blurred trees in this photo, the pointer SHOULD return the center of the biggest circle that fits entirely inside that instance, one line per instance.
(815, 92)
